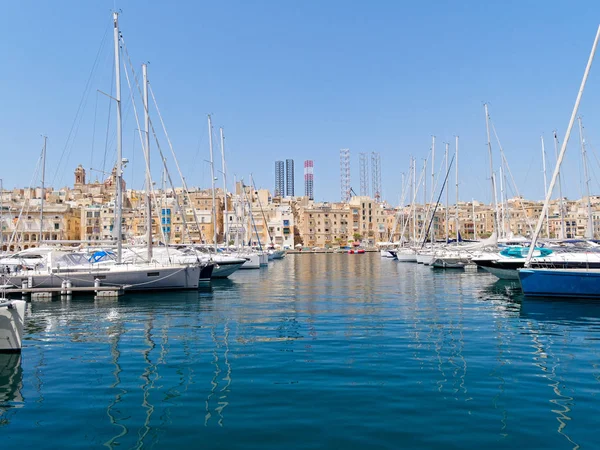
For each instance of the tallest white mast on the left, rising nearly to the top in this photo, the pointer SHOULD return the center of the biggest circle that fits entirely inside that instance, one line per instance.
(119, 194)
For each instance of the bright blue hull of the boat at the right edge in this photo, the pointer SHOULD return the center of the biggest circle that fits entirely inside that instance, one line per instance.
(560, 283)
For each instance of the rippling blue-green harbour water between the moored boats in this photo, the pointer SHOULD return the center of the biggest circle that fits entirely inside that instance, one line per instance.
(318, 351)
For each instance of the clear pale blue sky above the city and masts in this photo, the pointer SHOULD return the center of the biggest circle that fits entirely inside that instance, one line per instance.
(301, 80)
